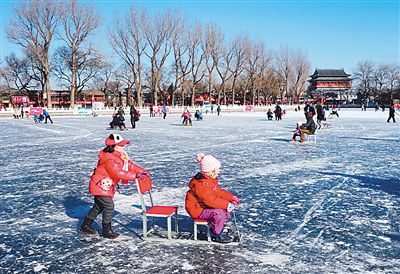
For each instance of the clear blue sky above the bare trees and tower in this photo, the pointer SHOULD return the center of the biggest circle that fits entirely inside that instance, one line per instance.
(335, 34)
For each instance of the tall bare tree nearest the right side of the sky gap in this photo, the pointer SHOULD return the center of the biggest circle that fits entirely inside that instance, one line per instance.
(128, 41)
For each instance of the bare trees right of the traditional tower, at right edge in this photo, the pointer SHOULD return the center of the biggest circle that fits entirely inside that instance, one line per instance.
(376, 79)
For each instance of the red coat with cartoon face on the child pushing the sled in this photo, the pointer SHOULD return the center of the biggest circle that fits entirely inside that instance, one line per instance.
(109, 172)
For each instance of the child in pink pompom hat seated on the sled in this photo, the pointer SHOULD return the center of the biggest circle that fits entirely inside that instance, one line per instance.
(206, 200)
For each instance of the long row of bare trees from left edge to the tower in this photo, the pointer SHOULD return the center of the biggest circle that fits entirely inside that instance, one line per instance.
(162, 53)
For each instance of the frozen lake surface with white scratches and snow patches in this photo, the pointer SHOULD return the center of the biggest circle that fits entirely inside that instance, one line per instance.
(331, 207)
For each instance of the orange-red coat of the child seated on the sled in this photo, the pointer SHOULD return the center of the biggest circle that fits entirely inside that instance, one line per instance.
(205, 193)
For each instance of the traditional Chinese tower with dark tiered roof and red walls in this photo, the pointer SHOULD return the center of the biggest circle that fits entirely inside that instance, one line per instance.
(329, 83)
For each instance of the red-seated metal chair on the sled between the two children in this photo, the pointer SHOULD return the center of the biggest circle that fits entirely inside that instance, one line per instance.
(155, 211)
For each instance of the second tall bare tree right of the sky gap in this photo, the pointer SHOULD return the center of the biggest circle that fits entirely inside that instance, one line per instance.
(158, 32)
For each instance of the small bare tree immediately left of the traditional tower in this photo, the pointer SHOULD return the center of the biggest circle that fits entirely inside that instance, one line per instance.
(300, 72)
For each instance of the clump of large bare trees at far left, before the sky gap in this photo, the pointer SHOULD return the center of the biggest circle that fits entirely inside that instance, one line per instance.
(34, 27)
